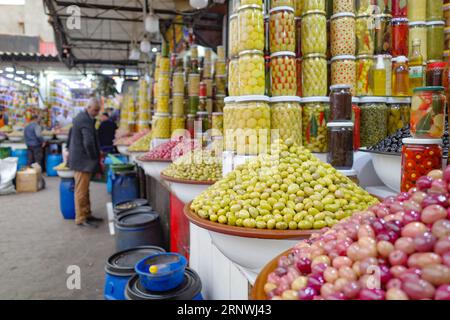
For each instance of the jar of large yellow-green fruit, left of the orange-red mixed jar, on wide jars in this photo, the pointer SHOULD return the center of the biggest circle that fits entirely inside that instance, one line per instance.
(251, 73)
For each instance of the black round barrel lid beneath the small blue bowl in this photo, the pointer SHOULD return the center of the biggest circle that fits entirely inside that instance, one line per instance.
(189, 288)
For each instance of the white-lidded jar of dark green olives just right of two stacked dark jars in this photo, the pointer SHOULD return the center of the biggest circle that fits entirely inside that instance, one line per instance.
(374, 114)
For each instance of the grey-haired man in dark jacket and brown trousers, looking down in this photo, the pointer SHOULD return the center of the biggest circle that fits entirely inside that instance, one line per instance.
(84, 157)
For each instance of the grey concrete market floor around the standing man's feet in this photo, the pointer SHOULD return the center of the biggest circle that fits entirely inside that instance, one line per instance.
(37, 246)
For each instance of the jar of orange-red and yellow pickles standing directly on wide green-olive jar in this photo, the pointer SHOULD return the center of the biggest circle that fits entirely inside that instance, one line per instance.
(283, 74)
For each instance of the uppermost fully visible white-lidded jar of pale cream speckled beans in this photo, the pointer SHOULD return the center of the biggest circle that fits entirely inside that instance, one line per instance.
(343, 34)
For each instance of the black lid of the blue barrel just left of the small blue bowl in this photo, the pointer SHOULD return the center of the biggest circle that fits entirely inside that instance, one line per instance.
(122, 263)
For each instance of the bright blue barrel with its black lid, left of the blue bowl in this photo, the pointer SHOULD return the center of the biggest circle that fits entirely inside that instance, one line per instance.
(120, 268)
